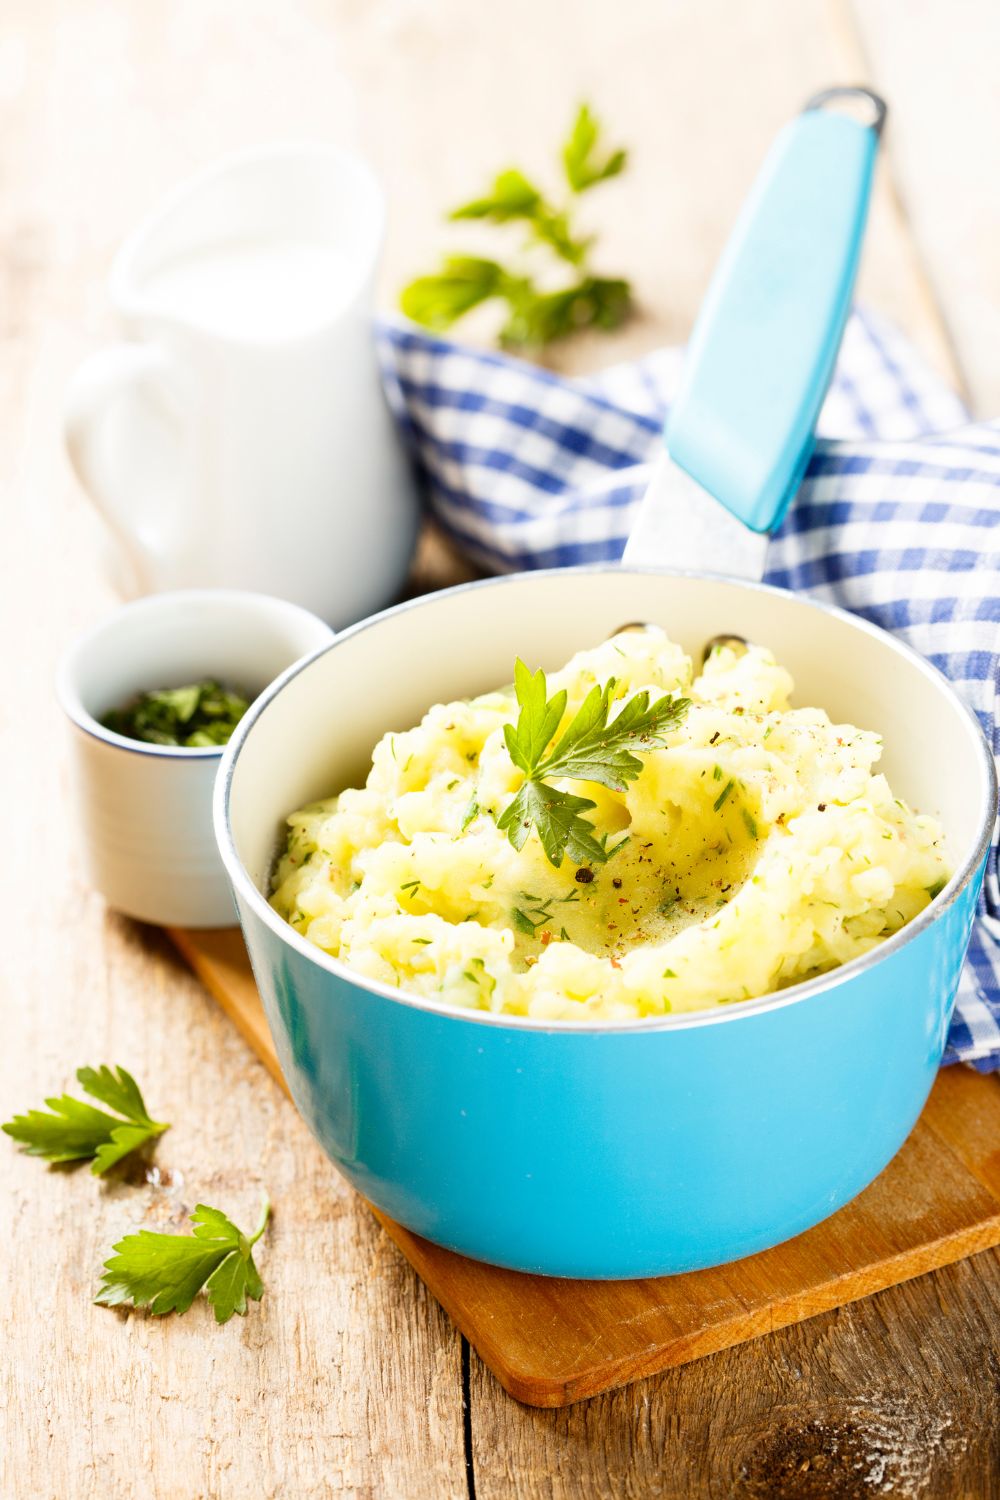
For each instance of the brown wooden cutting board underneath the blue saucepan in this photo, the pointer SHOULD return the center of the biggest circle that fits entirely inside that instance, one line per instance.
(551, 1343)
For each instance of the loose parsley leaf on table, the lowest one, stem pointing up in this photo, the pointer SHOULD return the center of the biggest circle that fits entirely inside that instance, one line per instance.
(166, 1273)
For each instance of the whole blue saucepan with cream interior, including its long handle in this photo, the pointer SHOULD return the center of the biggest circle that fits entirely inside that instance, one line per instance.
(687, 1141)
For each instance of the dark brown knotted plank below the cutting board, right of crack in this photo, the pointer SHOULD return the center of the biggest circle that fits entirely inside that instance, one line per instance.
(896, 1396)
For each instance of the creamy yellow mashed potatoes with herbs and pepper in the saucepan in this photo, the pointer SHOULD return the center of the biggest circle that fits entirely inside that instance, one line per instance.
(762, 848)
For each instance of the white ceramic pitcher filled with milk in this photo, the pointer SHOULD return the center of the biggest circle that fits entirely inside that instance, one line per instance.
(241, 436)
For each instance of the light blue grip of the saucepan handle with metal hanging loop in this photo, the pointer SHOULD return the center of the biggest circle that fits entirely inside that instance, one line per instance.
(764, 347)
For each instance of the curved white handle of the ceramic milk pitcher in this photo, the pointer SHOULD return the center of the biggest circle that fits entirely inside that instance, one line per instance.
(137, 506)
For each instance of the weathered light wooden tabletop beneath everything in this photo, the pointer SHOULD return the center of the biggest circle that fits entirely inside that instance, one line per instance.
(347, 1378)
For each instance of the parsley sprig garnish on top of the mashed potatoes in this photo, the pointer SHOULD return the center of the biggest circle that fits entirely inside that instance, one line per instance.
(594, 748)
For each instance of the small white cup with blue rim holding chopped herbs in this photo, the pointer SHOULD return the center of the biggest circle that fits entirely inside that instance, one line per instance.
(146, 811)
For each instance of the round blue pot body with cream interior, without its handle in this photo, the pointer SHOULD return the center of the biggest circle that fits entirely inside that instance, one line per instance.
(591, 1150)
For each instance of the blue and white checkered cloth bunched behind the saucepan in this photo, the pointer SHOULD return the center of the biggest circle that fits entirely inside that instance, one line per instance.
(897, 520)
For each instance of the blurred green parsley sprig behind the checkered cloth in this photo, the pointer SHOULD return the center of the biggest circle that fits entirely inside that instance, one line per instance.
(536, 314)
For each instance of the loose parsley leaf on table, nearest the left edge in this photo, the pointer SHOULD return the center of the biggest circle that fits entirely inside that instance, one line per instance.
(77, 1132)
